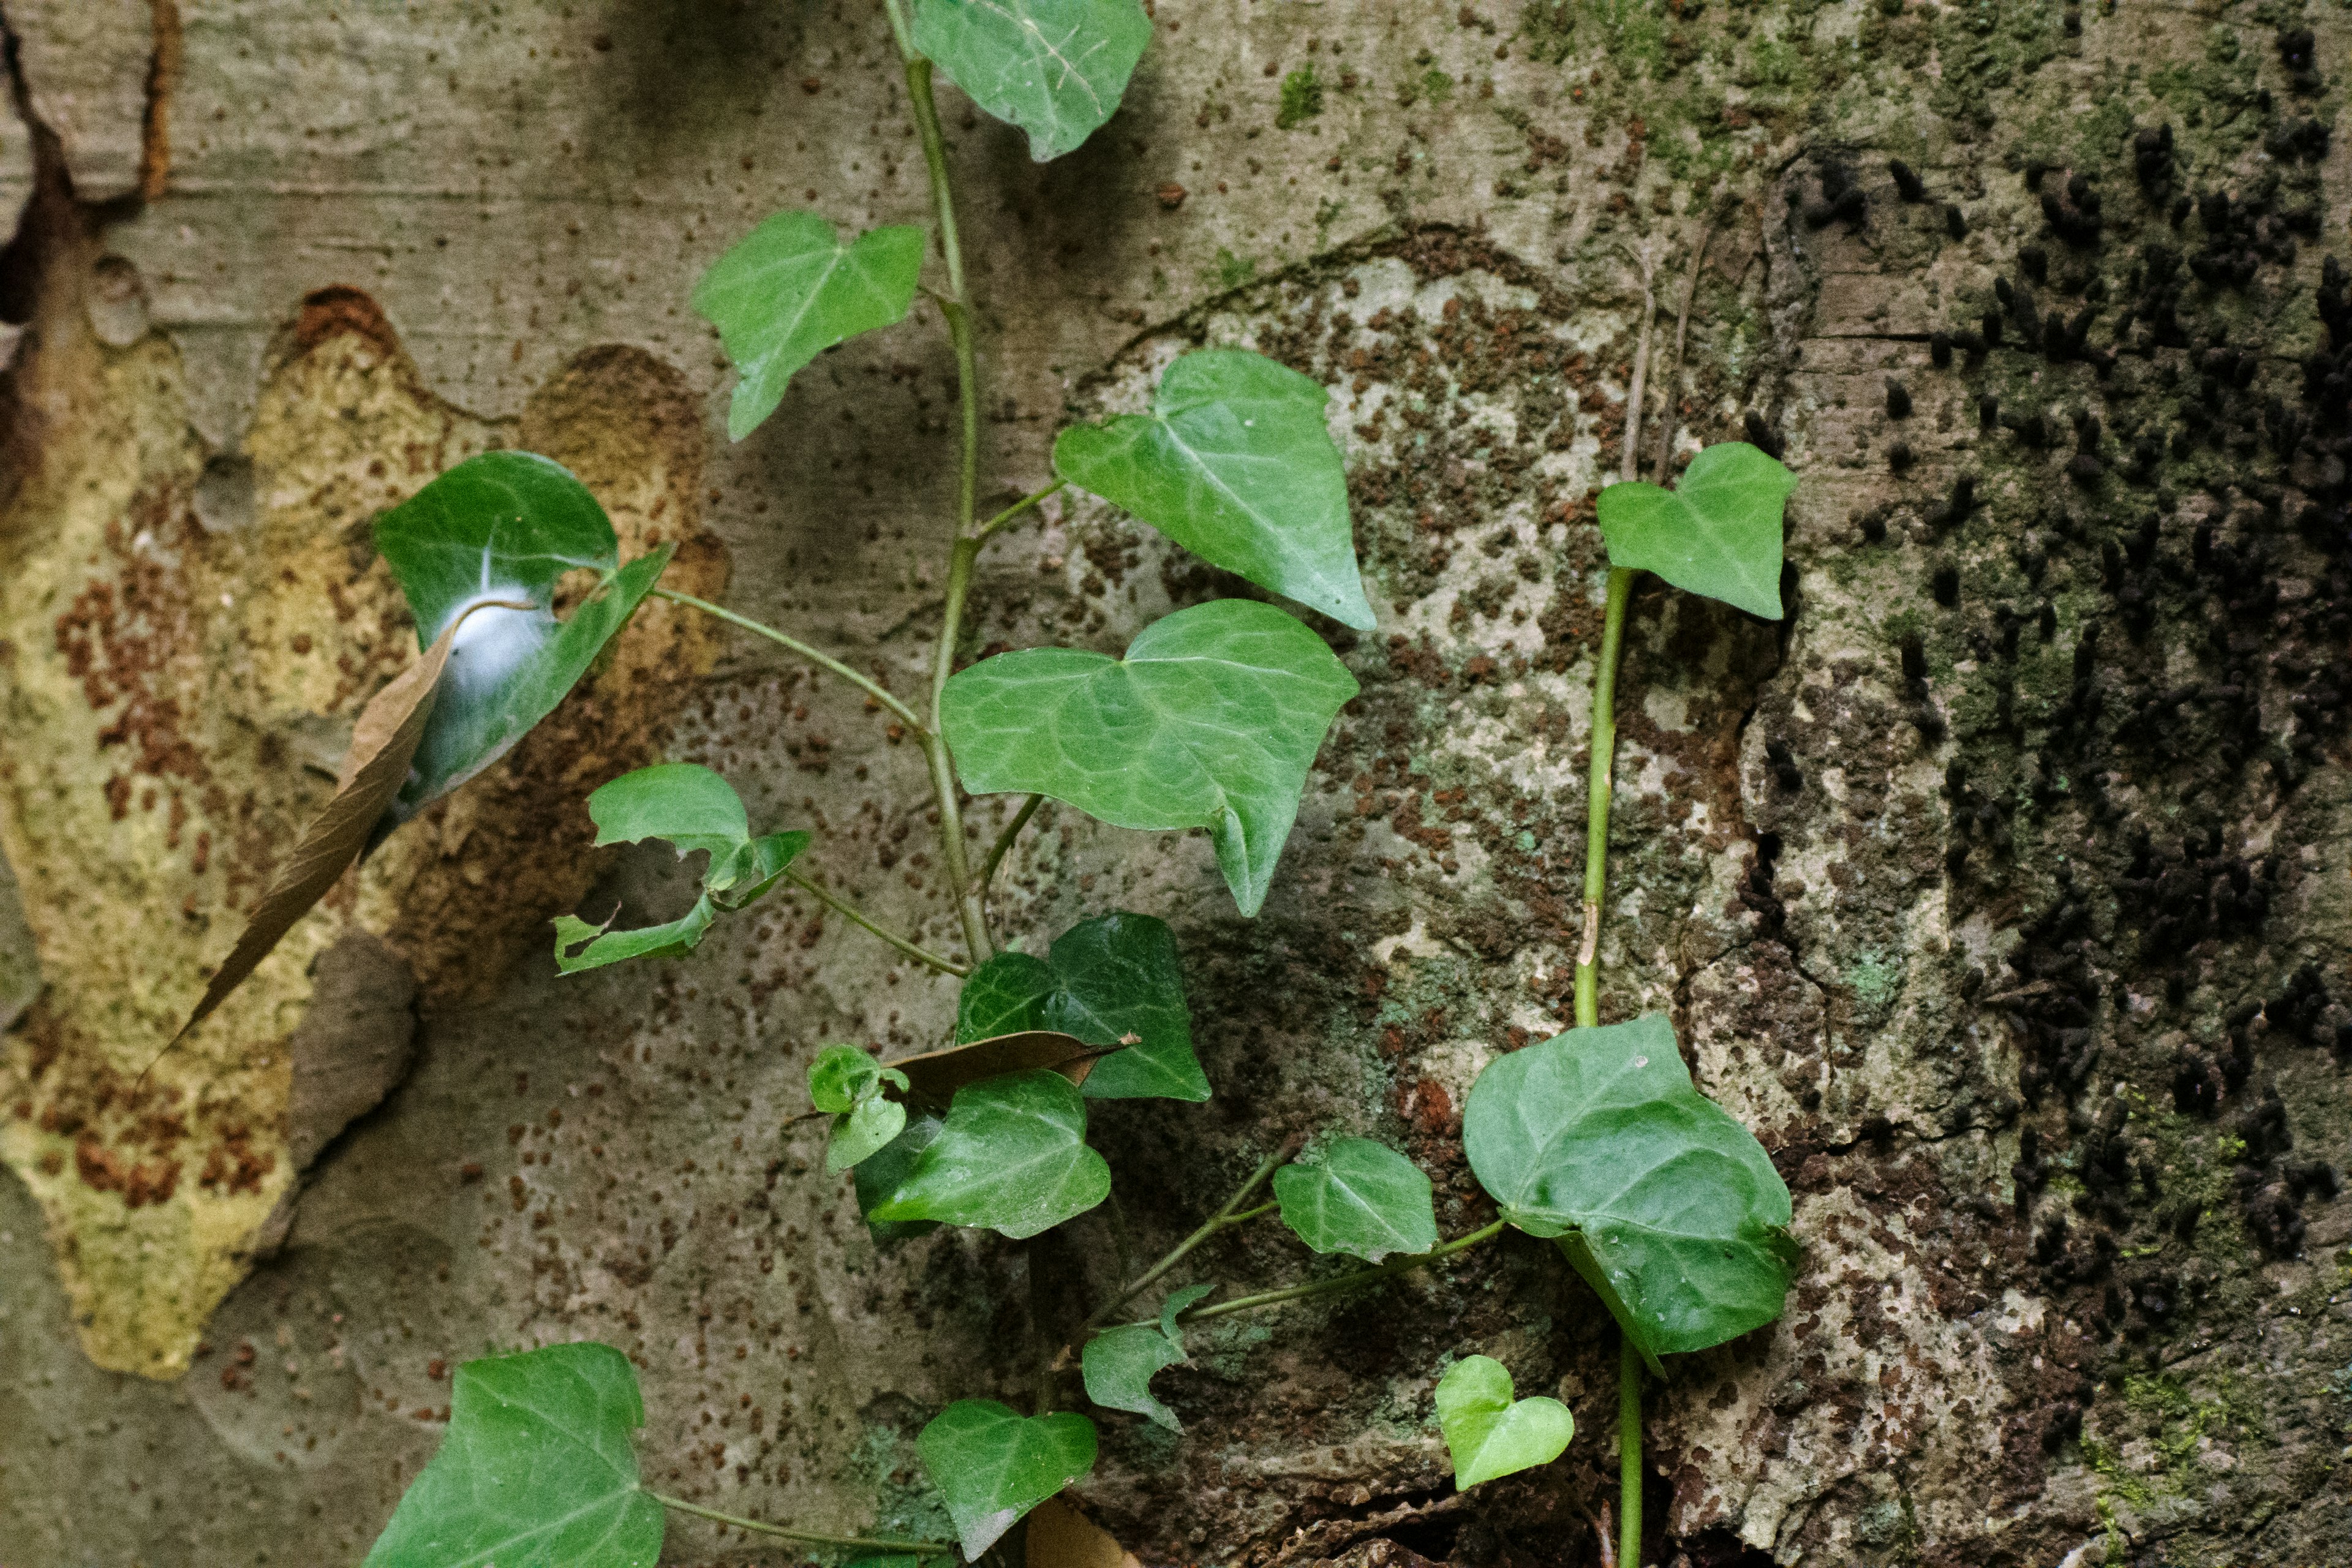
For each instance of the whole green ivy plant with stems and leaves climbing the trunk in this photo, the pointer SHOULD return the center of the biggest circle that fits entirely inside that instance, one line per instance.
(1210, 718)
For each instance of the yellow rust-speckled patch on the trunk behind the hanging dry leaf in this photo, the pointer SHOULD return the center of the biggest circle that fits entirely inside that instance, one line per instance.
(185, 655)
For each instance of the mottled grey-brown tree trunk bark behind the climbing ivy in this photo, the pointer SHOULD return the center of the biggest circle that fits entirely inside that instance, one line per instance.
(2003, 887)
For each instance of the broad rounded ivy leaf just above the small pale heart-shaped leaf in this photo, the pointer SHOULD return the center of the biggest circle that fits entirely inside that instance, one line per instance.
(1664, 1202)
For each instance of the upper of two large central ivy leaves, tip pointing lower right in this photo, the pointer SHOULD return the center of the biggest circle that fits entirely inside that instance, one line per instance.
(1236, 464)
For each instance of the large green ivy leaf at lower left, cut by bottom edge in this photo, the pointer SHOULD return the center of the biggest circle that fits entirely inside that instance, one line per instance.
(537, 1468)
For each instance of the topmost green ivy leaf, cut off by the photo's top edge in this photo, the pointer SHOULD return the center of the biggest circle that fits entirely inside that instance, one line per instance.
(1053, 67)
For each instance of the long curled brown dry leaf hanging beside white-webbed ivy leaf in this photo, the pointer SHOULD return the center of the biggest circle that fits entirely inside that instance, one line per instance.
(375, 768)
